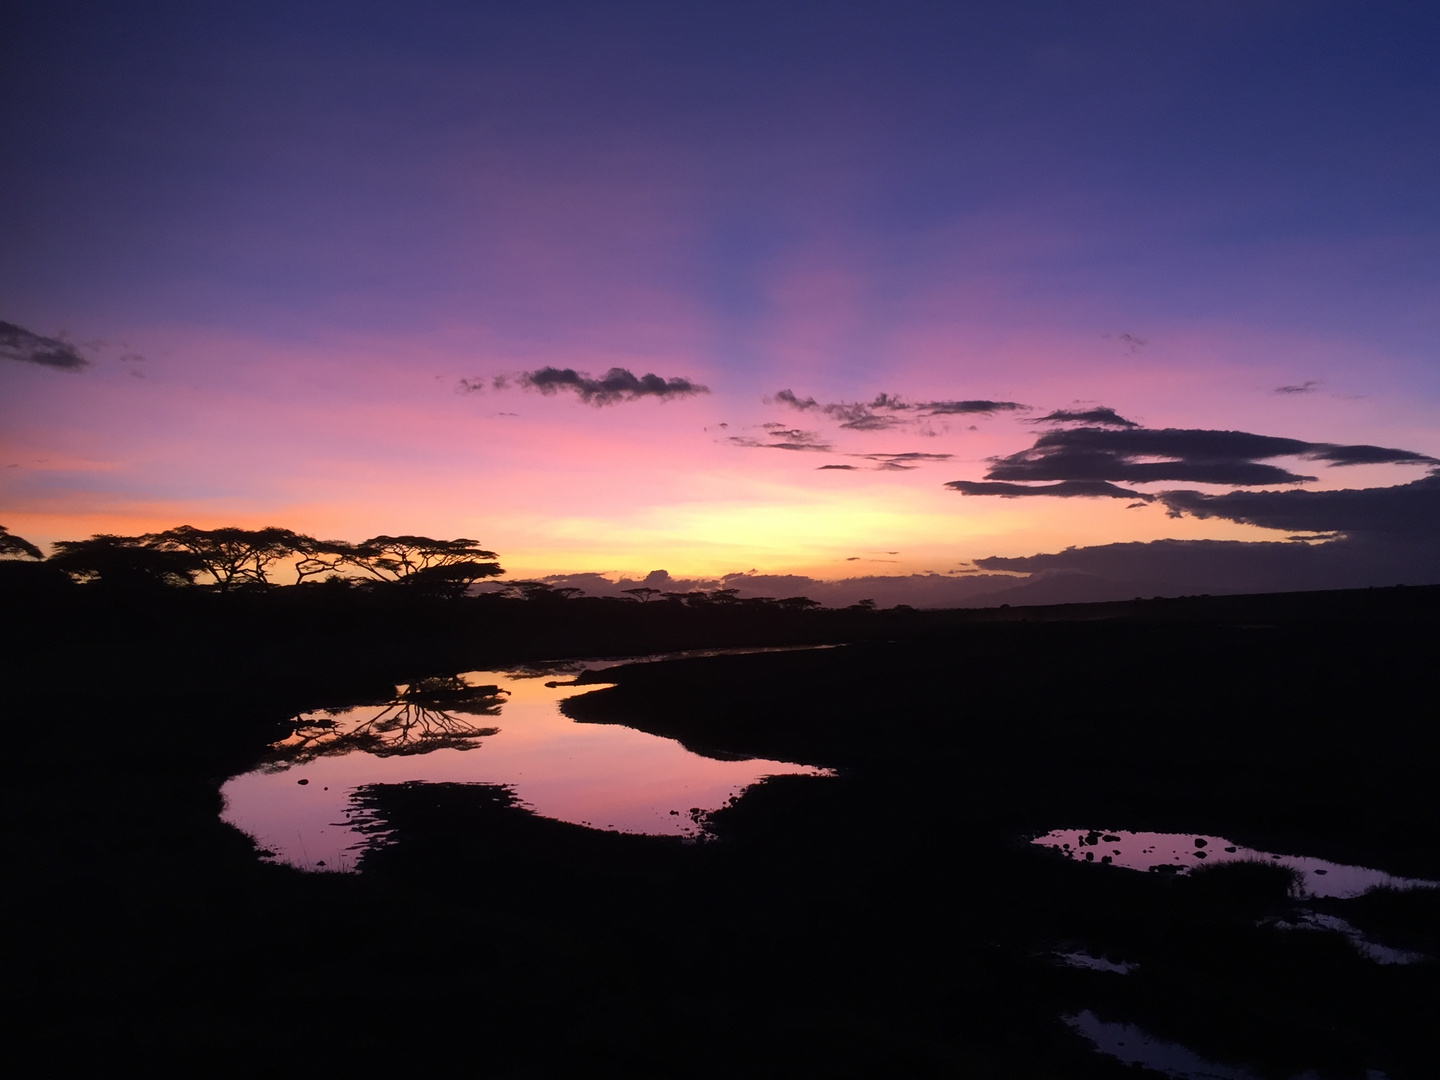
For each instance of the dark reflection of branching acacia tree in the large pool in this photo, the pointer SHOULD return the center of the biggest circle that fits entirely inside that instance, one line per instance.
(430, 715)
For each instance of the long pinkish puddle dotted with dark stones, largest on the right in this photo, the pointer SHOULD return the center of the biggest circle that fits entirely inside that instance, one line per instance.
(1184, 852)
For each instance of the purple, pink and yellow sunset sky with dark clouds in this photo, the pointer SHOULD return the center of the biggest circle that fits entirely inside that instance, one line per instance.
(790, 293)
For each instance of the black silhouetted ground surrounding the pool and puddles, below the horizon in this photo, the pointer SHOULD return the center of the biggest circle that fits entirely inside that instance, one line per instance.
(888, 922)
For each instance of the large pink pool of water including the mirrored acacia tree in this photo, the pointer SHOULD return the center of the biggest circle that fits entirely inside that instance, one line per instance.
(480, 728)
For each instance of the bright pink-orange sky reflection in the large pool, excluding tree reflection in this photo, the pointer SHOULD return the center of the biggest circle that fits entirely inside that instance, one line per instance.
(603, 775)
